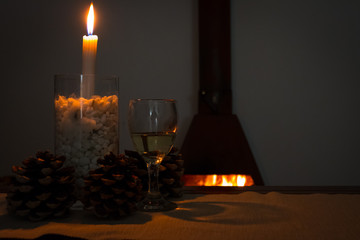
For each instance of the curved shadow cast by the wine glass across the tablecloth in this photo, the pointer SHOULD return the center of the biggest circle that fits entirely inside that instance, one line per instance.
(236, 213)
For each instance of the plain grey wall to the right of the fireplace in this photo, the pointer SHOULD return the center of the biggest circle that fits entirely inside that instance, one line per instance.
(296, 80)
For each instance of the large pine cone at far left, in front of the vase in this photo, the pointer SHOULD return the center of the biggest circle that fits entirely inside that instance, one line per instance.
(41, 188)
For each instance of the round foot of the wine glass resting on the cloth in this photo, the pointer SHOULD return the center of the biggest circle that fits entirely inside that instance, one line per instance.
(156, 205)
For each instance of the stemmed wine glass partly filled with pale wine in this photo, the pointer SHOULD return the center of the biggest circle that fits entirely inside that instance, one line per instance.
(153, 125)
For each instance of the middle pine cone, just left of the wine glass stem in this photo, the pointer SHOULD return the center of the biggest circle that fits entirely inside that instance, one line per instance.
(113, 189)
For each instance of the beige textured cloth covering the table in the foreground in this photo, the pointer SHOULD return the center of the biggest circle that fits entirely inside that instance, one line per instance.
(247, 215)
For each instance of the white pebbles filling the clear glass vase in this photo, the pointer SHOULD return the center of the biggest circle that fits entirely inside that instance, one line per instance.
(86, 129)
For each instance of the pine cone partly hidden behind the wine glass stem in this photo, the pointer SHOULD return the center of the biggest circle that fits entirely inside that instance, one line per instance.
(170, 173)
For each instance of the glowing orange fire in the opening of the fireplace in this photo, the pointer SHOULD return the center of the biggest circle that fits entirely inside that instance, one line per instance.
(231, 180)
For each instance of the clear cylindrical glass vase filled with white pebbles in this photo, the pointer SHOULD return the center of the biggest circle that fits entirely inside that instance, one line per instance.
(86, 119)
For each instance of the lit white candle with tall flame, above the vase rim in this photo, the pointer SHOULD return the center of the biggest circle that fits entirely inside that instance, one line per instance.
(89, 45)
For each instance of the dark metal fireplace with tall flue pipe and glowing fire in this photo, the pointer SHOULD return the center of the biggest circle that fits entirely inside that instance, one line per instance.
(215, 143)
